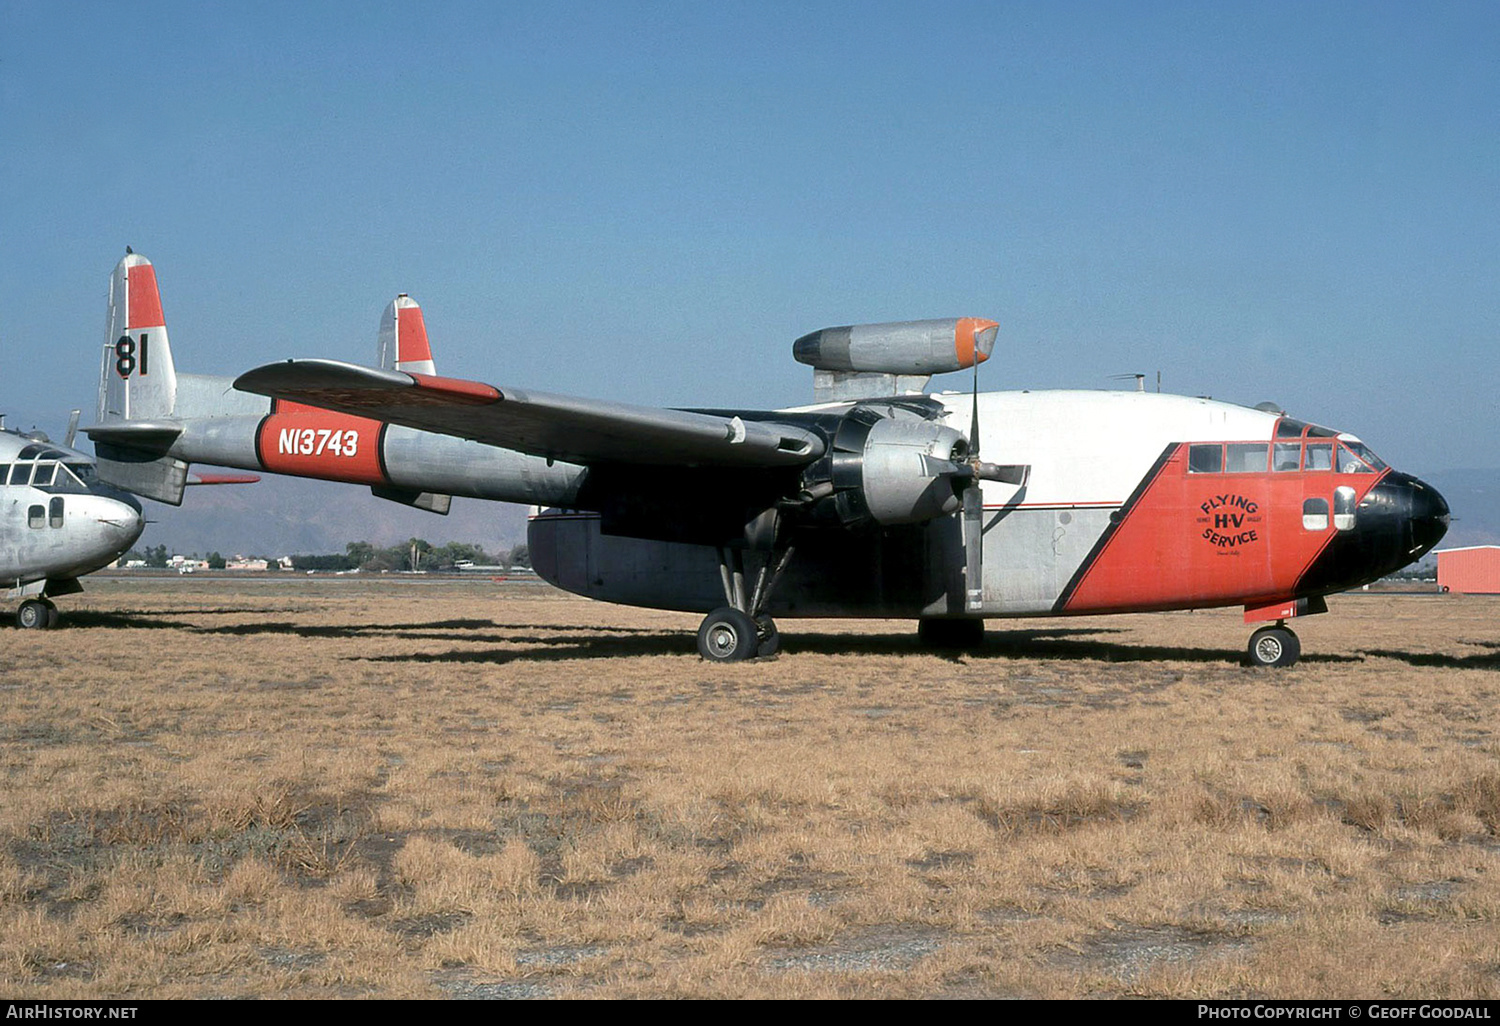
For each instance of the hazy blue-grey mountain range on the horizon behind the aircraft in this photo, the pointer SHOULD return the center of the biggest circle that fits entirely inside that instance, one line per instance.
(290, 517)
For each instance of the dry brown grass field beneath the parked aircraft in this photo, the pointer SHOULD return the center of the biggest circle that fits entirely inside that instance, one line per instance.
(470, 790)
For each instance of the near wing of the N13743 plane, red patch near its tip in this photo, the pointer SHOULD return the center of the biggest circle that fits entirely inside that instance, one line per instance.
(578, 431)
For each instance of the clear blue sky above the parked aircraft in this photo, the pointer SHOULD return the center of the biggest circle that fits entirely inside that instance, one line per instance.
(1289, 202)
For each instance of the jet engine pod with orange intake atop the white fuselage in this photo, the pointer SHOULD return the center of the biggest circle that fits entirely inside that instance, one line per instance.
(902, 347)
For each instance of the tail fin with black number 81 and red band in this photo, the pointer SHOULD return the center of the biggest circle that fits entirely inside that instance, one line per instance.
(137, 379)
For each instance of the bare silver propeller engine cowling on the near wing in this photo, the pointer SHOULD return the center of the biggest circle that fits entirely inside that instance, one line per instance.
(886, 467)
